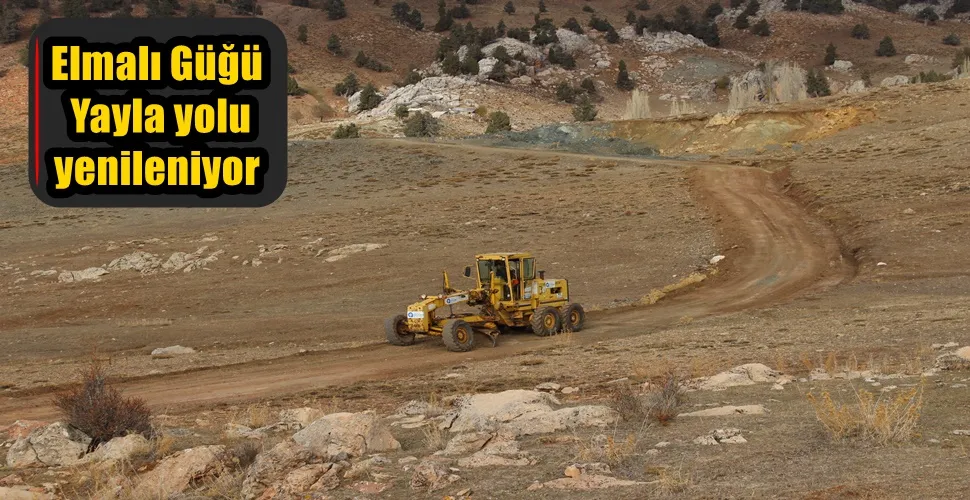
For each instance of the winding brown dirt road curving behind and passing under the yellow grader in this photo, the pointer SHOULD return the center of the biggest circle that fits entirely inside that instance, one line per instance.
(778, 250)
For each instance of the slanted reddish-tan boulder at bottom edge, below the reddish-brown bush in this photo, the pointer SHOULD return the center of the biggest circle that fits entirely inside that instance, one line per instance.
(182, 470)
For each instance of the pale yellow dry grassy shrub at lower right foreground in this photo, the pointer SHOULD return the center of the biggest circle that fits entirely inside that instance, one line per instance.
(884, 419)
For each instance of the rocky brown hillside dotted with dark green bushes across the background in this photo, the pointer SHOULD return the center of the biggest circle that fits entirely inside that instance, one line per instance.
(667, 66)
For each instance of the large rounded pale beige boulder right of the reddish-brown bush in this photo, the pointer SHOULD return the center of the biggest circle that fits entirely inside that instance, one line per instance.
(352, 433)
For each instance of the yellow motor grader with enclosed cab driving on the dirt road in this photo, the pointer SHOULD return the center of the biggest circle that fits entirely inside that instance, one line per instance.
(508, 294)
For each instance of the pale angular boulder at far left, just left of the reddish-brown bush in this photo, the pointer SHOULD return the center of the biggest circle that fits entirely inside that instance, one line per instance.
(52, 445)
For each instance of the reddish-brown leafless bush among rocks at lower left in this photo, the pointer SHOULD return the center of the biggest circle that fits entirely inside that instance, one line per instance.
(101, 411)
